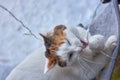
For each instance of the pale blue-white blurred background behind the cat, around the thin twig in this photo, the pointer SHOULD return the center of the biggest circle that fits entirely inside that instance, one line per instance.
(40, 16)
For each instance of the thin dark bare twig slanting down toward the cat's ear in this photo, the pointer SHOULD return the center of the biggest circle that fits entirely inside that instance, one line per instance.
(30, 32)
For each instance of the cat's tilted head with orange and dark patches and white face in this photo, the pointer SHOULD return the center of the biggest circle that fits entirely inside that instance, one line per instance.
(60, 47)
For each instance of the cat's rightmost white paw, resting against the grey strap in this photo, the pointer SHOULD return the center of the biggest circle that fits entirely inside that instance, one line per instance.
(111, 43)
